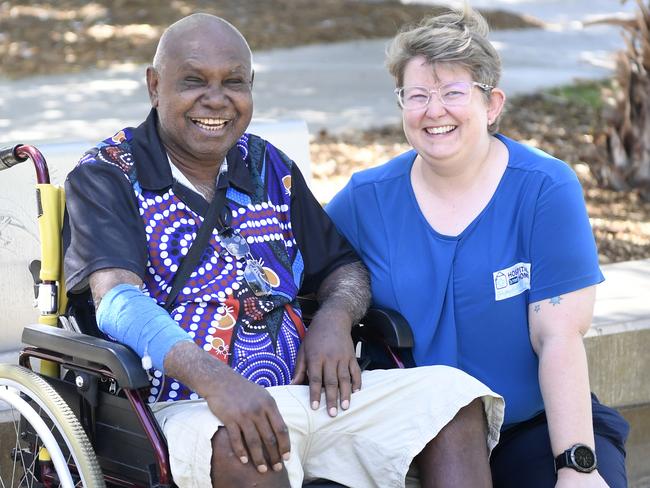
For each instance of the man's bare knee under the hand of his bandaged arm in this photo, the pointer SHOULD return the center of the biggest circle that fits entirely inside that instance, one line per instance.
(229, 472)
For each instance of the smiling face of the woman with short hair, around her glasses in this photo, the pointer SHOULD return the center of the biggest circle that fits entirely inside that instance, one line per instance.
(445, 135)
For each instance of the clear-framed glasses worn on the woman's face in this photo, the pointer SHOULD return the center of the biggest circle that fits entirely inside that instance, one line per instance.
(456, 94)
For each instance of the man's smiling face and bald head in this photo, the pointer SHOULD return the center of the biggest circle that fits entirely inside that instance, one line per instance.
(202, 92)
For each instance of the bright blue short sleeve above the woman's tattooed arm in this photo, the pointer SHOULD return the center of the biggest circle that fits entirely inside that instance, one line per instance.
(563, 251)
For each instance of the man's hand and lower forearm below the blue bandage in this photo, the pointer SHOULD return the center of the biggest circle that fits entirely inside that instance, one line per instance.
(248, 412)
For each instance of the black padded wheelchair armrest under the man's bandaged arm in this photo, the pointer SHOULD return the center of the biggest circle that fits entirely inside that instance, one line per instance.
(123, 363)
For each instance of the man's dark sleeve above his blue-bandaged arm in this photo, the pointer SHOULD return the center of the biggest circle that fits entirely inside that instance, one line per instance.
(103, 228)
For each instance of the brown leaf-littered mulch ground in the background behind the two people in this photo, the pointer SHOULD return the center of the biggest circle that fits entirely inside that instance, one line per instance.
(72, 35)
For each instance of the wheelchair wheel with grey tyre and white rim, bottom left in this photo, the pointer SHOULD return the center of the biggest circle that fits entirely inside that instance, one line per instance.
(43, 445)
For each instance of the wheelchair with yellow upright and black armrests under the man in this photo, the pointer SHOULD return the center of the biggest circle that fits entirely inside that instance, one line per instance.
(83, 418)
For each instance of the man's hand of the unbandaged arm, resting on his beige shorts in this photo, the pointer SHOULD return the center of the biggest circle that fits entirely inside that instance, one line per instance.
(327, 358)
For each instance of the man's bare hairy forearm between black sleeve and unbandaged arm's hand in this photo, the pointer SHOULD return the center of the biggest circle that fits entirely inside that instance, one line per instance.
(349, 288)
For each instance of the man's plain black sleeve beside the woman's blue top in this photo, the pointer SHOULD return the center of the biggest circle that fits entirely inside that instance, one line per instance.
(322, 247)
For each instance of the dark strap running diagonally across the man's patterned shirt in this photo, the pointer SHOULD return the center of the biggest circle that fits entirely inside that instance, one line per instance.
(189, 262)
